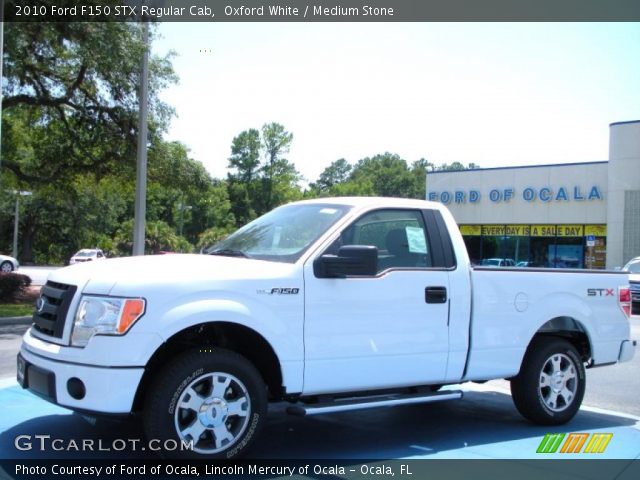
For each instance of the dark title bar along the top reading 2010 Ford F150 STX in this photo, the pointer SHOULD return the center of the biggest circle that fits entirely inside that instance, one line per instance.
(323, 11)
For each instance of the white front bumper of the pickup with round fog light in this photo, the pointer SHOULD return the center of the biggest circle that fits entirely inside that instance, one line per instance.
(107, 390)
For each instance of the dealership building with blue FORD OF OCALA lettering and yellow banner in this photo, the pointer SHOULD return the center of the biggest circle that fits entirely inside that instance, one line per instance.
(574, 215)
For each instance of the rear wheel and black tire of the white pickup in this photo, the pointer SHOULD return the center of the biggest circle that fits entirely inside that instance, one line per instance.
(551, 383)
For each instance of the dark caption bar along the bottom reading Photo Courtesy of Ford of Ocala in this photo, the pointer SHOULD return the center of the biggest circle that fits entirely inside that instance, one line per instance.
(406, 469)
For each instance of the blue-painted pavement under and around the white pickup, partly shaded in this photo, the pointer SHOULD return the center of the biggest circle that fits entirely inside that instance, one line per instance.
(484, 425)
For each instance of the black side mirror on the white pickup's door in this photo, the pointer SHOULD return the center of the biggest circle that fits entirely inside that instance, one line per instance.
(352, 260)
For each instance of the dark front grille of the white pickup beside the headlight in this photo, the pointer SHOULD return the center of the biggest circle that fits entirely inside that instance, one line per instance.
(52, 307)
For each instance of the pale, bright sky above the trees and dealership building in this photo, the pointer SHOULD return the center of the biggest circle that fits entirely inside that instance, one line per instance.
(495, 94)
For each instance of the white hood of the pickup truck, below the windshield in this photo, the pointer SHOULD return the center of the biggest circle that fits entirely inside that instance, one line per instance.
(134, 276)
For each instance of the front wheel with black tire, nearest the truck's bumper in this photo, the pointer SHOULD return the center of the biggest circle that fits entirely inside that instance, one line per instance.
(182, 404)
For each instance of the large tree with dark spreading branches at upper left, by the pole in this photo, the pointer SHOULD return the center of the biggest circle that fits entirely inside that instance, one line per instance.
(69, 127)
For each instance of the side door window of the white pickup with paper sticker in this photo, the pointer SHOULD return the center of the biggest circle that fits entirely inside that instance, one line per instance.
(399, 236)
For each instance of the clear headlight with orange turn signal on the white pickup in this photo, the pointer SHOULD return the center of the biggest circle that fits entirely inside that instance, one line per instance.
(104, 315)
